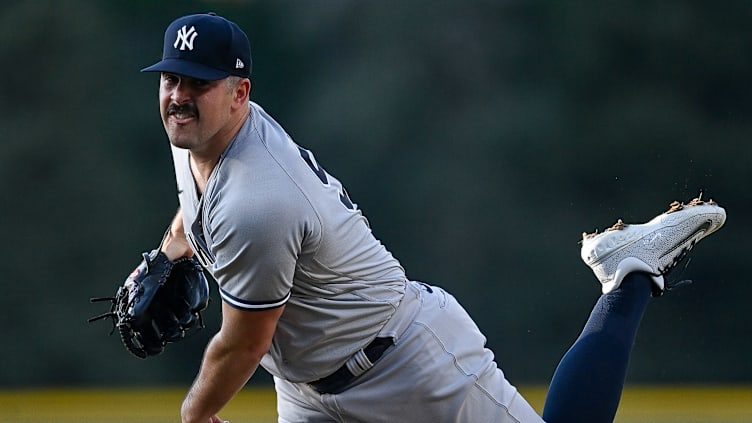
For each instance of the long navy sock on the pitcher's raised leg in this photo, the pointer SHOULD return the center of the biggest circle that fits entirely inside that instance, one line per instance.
(588, 382)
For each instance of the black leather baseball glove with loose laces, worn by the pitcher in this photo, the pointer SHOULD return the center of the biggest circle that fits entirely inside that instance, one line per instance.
(160, 302)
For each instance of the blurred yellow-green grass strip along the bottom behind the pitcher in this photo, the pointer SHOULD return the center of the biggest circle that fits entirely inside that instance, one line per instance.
(648, 404)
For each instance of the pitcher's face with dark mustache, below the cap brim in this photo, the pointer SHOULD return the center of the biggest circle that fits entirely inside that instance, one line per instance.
(195, 112)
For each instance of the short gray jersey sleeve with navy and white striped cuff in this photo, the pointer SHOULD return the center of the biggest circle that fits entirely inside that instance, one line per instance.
(256, 240)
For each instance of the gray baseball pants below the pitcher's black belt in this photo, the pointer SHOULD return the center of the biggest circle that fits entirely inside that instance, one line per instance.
(437, 371)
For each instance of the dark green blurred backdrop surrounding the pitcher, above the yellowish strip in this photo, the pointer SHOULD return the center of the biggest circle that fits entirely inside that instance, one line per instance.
(481, 138)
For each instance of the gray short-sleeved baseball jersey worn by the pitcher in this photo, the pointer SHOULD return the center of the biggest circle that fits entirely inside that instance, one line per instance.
(274, 228)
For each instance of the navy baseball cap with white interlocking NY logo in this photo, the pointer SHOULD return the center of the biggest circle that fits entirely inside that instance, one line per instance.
(204, 46)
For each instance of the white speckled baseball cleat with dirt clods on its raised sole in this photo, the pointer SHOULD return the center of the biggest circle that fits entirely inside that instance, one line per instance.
(654, 247)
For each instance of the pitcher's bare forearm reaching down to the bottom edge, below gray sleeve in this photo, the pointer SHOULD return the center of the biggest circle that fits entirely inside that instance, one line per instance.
(224, 371)
